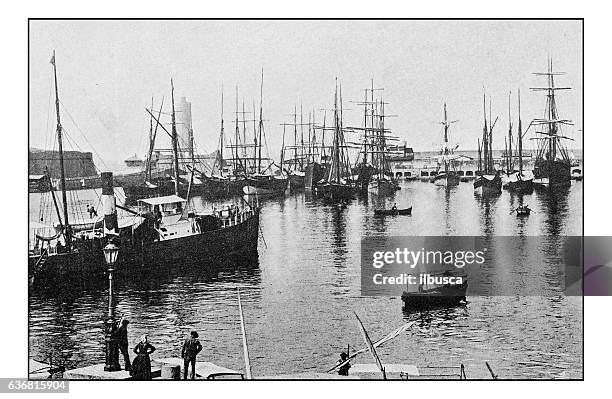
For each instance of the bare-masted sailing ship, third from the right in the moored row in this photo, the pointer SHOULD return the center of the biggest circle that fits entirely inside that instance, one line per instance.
(489, 180)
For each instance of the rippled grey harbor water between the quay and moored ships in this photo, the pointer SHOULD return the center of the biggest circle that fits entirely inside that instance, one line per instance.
(299, 296)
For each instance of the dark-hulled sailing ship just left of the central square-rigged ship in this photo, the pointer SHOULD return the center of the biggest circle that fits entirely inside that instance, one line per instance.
(338, 184)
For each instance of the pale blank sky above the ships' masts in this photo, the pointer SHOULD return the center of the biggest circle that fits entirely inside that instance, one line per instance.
(108, 71)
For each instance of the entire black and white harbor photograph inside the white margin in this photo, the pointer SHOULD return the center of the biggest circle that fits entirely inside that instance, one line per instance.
(204, 197)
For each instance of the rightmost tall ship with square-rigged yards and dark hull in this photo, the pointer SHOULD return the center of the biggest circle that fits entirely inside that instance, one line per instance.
(552, 166)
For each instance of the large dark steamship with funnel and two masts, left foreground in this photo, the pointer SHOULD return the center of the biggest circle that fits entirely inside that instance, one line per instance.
(157, 234)
